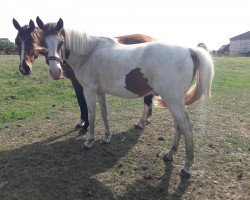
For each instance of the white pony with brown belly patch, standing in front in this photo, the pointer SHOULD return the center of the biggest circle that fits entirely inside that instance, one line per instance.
(103, 65)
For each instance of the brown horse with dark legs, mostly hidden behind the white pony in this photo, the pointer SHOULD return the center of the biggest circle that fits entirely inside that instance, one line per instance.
(28, 41)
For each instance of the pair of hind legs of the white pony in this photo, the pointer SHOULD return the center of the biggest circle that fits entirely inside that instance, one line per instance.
(185, 126)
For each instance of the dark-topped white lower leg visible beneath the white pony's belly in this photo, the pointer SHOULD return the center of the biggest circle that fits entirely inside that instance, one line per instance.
(147, 112)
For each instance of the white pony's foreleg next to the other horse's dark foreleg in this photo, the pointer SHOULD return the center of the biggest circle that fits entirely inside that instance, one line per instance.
(90, 95)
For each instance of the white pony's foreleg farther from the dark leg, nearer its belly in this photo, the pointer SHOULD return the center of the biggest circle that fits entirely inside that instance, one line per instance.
(104, 113)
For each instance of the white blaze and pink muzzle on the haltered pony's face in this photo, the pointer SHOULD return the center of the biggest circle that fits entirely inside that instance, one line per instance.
(54, 65)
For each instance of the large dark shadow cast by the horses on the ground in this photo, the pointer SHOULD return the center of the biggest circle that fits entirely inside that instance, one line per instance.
(59, 168)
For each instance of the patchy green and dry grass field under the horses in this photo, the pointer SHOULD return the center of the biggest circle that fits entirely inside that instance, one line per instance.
(40, 158)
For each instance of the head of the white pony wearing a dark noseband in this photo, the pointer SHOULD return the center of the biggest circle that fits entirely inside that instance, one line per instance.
(53, 40)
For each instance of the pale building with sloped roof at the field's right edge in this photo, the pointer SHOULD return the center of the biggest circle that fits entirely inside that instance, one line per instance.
(240, 45)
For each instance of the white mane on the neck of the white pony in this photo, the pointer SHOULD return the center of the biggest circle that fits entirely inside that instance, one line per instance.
(77, 41)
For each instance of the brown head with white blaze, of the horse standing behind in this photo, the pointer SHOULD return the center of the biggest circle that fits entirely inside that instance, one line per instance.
(28, 40)
